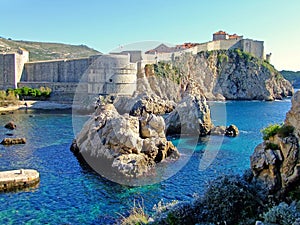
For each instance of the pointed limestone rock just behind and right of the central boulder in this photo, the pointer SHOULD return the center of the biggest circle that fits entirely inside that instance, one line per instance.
(191, 116)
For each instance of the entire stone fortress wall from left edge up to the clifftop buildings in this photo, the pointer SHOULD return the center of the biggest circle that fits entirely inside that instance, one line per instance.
(115, 73)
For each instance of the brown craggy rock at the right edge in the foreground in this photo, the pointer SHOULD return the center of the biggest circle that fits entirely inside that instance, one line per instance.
(276, 162)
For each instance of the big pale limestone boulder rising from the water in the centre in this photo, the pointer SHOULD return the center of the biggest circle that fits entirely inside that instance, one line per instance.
(127, 145)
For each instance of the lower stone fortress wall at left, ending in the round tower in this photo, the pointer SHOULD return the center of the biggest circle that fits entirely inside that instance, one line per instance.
(100, 74)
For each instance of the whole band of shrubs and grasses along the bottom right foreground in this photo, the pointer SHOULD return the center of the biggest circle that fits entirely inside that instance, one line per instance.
(230, 199)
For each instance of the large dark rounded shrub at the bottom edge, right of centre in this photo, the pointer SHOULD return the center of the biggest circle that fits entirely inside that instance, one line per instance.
(231, 199)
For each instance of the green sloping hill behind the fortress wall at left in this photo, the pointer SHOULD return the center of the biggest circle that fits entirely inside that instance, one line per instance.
(47, 51)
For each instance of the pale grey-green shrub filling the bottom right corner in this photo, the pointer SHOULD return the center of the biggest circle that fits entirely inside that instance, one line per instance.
(283, 214)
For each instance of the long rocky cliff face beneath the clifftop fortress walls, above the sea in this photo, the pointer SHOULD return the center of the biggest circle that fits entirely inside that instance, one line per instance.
(220, 75)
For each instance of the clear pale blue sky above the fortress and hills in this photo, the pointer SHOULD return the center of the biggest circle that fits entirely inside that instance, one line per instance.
(106, 25)
